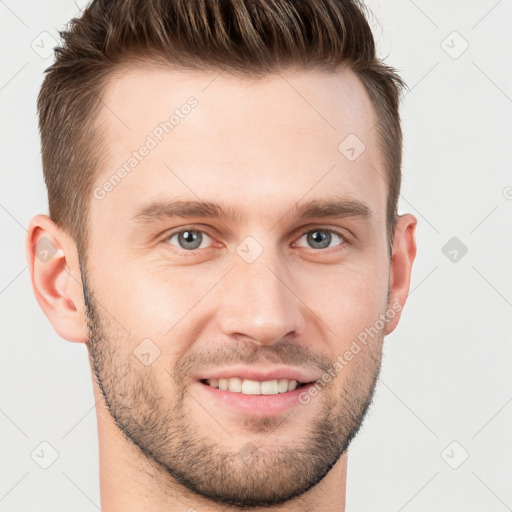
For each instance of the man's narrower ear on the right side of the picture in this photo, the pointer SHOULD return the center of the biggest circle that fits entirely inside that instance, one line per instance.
(404, 252)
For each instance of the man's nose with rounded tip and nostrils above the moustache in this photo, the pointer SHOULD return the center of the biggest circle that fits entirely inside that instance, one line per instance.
(259, 305)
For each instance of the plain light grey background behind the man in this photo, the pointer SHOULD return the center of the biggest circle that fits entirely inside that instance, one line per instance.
(447, 368)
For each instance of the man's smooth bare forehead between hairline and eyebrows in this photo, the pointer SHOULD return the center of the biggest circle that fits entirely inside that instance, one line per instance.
(250, 142)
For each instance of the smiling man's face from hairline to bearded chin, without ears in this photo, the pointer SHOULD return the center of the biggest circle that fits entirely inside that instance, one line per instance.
(176, 300)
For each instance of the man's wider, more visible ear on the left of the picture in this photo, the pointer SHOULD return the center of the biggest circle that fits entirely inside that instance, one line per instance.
(56, 280)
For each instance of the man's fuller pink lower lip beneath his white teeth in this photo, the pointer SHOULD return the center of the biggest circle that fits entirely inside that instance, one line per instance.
(255, 405)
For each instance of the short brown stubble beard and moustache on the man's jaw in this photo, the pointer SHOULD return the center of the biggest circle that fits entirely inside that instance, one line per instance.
(268, 475)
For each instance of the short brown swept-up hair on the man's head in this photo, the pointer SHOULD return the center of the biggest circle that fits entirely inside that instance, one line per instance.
(248, 38)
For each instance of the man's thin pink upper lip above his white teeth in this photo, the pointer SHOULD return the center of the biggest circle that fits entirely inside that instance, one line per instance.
(260, 373)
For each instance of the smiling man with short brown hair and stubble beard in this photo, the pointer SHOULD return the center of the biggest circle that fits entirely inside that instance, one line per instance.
(223, 235)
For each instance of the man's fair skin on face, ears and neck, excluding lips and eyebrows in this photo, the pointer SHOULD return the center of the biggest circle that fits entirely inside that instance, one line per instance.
(259, 146)
